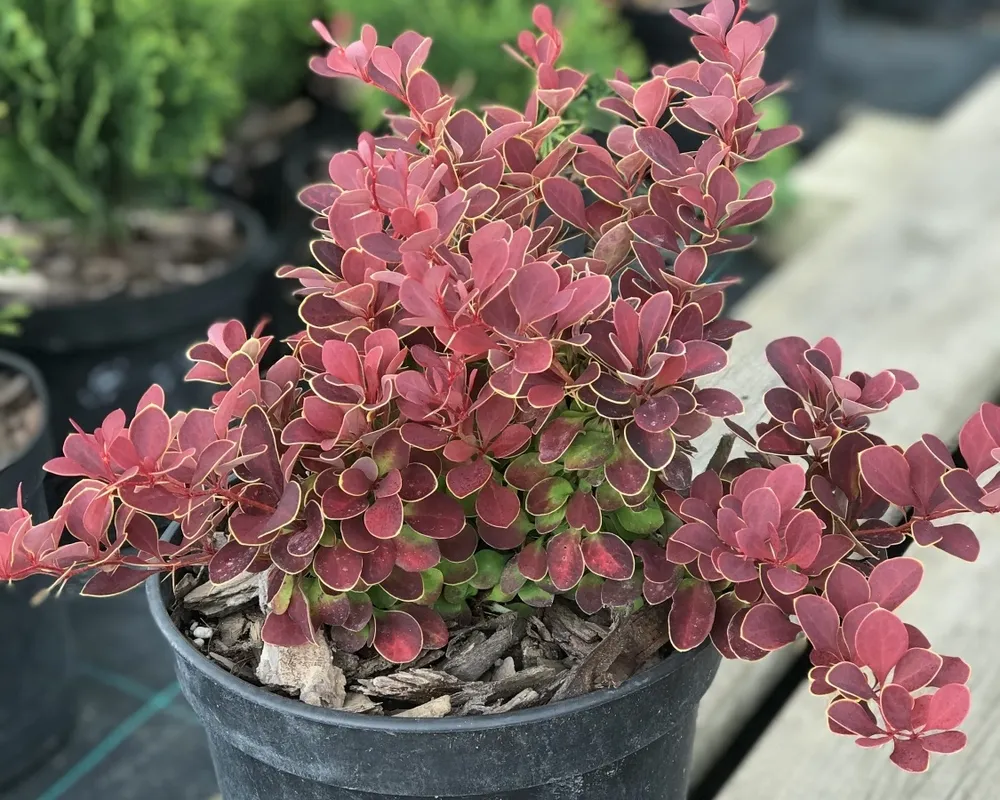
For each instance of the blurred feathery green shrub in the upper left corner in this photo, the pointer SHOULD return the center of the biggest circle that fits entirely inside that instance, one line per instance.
(108, 102)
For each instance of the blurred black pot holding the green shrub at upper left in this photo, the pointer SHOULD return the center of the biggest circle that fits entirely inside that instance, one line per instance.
(102, 355)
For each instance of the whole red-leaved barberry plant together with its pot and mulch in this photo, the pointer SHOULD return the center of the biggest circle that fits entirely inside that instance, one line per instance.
(454, 543)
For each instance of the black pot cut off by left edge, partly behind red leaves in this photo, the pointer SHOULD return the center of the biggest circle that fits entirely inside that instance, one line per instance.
(37, 704)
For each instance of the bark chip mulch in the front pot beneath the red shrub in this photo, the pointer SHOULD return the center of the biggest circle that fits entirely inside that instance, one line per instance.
(496, 661)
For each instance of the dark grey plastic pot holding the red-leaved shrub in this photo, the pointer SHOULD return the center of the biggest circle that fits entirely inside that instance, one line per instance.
(631, 743)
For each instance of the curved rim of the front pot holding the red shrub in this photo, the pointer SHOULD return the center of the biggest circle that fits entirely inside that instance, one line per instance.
(326, 716)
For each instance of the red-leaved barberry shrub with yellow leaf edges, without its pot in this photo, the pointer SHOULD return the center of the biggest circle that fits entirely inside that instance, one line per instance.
(469, 412)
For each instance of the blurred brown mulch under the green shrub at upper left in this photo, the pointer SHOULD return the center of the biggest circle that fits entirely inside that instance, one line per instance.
(158, 251)
